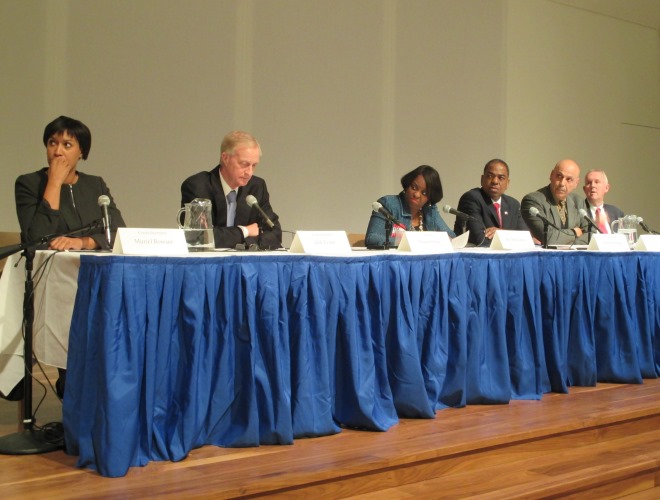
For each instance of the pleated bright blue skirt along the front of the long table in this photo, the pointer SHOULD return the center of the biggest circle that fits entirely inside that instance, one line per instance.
(170, 354)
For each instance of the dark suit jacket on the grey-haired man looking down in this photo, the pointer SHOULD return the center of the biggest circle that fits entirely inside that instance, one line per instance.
(207, 185)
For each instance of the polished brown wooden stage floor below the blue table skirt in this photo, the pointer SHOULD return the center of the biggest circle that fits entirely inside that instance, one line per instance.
(601, 442)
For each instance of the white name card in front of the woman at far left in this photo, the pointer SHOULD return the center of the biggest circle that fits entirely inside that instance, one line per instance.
(136, 241)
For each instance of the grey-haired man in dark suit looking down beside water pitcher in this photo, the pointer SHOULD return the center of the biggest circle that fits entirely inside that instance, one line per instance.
(227, 186)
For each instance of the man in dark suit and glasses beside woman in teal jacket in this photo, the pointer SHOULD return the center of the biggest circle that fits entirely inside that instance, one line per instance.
(490, 206)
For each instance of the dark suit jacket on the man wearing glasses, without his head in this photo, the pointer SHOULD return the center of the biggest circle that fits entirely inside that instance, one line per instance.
(479, 205)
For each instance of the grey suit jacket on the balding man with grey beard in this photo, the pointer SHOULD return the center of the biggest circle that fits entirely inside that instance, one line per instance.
(544, 202)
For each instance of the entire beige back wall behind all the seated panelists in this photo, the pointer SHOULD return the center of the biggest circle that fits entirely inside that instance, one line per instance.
(345, 97)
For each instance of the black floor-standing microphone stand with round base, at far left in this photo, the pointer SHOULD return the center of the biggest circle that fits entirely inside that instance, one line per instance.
(31, 441)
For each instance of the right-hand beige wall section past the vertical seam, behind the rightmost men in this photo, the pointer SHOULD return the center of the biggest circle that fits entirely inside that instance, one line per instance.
(585, 86)
